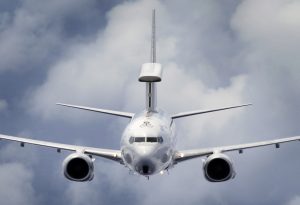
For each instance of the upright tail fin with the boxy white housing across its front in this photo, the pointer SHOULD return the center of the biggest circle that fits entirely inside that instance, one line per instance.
(151, 72)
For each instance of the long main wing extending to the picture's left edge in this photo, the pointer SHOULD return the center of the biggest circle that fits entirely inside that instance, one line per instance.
(114, 155)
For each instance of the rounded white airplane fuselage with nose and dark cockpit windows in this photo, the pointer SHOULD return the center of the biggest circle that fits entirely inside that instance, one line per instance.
(148, 142)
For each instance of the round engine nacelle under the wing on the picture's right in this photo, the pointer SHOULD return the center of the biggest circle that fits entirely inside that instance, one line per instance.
(218, 168)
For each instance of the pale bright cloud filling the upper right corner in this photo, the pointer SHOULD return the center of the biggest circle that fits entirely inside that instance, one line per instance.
(271, 31)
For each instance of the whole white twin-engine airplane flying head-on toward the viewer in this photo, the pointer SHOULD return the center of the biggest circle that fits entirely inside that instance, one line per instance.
(148, 142)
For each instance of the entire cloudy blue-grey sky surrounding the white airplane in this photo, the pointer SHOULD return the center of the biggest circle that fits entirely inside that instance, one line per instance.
(214, 54)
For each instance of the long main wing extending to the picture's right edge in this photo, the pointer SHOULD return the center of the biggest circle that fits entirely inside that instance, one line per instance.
(190, 154)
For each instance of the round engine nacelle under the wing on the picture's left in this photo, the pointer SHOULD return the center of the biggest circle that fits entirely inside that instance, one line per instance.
(78, 167)
